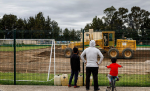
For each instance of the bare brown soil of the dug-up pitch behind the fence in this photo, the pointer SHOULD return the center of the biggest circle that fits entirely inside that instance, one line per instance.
(37, 61)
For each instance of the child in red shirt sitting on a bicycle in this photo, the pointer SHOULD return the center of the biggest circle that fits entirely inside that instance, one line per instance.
(113, 69)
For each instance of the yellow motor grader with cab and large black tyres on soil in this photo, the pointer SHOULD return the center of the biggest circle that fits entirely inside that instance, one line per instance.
(124, 47)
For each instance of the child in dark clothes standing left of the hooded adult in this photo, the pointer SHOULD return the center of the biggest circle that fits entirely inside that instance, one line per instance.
(75, 67)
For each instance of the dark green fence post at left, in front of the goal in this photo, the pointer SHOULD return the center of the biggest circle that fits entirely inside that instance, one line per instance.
(14, 57)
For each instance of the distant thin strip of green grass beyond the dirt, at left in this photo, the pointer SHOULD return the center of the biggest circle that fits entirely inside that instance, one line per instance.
(22, 48)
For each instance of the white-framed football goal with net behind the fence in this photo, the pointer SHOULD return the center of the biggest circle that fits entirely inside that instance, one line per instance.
(35, 59)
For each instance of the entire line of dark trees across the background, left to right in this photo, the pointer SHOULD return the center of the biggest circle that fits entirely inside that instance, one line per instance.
(119, 20)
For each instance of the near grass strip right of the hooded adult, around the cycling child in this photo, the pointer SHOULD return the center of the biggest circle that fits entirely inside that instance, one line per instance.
(127, 80)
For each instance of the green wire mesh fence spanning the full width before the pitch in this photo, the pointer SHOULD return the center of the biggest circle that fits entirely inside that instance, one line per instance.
(38, 62)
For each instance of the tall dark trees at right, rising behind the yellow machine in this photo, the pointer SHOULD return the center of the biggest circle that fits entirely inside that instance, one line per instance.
(135, 24)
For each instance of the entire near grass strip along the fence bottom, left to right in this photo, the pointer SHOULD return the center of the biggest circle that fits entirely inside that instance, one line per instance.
(125, 80)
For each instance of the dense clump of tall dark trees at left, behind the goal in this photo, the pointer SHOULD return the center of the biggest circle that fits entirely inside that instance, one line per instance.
(32, 28)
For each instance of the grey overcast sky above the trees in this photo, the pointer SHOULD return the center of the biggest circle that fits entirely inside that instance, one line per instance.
(71, 14)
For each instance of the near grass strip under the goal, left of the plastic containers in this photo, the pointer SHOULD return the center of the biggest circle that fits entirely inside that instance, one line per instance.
(37, 78)
